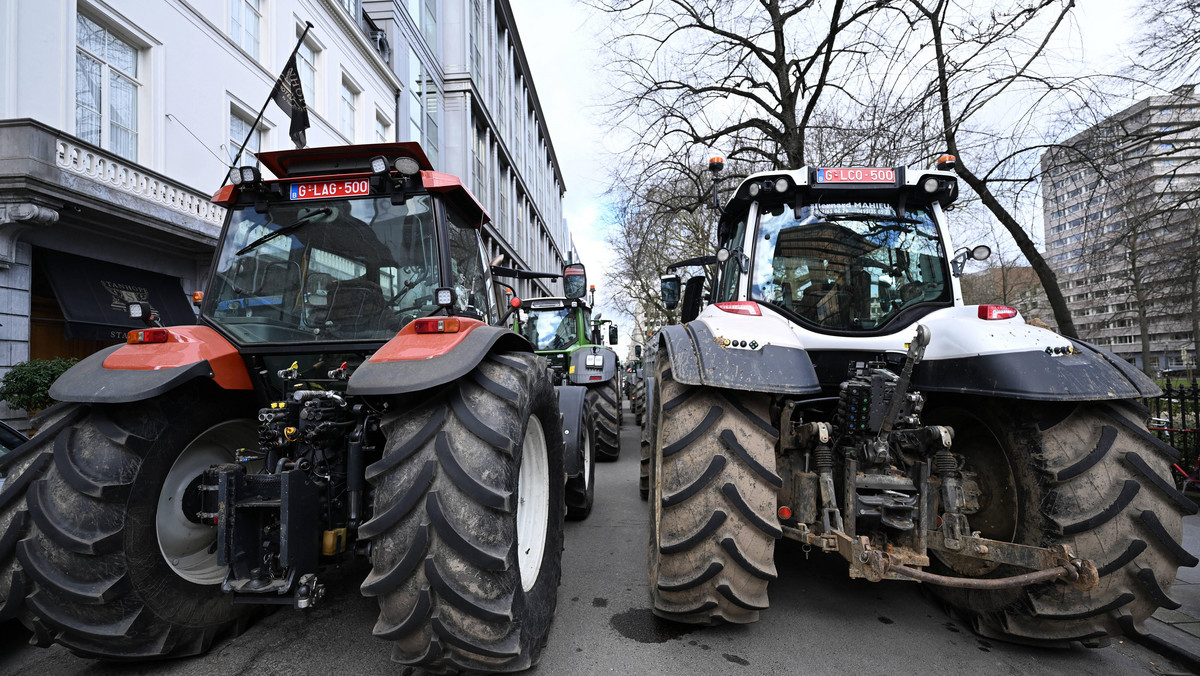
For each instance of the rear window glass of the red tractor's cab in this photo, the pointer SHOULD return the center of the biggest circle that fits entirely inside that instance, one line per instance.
(331, 271)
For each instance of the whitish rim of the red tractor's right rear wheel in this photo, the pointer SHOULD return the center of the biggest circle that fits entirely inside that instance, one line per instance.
(533, 504)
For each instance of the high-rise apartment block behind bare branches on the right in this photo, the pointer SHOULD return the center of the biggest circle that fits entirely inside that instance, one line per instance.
(1121, 228)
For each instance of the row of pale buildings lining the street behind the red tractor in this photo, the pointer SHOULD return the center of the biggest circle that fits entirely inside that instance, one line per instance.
(118, 119)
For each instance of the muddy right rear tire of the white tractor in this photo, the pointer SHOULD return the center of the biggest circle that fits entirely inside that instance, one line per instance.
(1084, 475)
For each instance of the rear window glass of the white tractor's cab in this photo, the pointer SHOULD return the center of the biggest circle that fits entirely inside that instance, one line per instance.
(849, 266)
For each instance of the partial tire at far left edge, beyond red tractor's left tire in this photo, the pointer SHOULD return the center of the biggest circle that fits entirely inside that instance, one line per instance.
(20, 469)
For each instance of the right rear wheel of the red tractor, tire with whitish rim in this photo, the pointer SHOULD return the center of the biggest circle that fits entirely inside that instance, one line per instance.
(467, 535)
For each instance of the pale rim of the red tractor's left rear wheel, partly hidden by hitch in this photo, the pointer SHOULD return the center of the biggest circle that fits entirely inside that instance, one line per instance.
(188, 547)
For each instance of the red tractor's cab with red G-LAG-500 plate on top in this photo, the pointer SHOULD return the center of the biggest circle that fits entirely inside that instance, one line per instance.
(349, 247)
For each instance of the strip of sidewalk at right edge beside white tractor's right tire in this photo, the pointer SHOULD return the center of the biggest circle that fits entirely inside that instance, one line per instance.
(1177, 633)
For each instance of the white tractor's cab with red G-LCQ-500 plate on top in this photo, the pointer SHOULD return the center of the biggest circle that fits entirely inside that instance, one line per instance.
(841, 252)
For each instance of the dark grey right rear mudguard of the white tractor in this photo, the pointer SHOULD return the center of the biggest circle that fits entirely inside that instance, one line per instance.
(1085, 374)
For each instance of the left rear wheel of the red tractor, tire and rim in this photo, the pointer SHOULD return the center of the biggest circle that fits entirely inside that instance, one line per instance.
(119, 570)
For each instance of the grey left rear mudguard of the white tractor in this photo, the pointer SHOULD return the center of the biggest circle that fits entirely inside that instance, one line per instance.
(698, 360)
